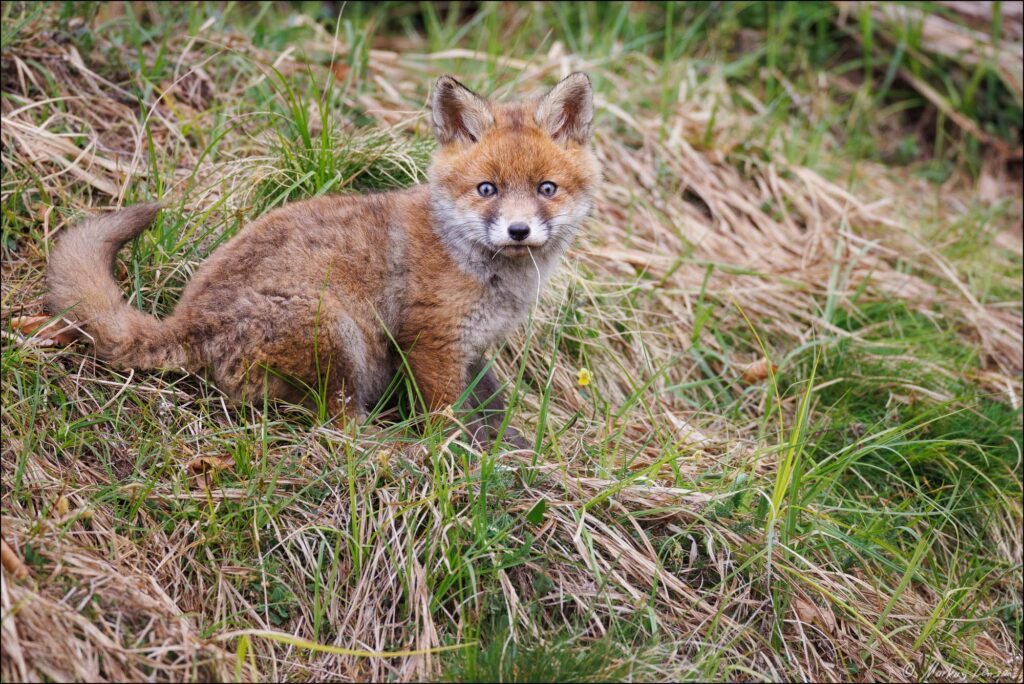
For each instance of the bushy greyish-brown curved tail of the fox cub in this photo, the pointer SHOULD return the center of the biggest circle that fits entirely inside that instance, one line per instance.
(82, 290)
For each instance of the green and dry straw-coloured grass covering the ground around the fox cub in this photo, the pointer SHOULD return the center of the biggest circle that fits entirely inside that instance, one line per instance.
(834, 191)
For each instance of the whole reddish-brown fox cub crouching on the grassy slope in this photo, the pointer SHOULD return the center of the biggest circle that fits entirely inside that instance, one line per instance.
(319, 293)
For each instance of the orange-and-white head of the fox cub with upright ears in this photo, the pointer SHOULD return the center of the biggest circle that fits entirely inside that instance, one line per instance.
(513, 181)
